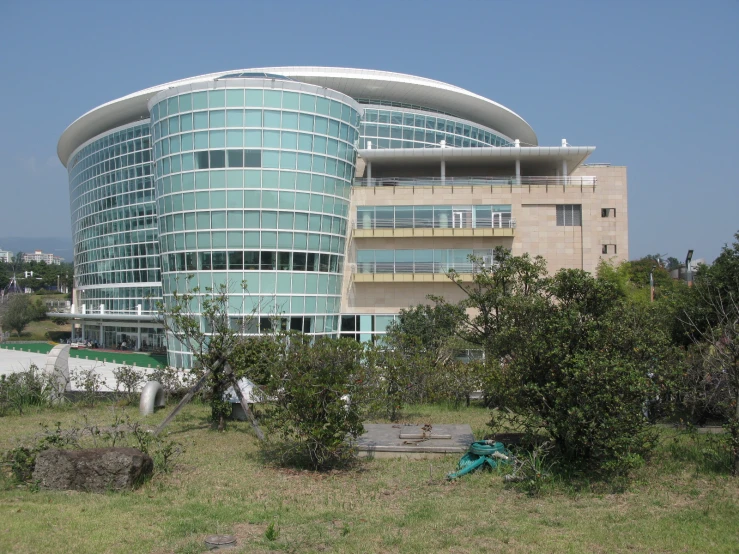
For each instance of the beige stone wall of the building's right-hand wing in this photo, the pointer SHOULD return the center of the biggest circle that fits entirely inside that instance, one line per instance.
(536, 232)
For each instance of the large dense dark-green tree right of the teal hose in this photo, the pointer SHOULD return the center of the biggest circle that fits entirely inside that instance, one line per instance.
(576, 358)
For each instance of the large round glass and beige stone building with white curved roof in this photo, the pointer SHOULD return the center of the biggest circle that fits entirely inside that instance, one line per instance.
(338, 196)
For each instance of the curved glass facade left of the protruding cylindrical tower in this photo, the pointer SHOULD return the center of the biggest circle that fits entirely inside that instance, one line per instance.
(114, 222)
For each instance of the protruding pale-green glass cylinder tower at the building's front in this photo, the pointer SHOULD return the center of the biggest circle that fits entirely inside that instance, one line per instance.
(253, 181)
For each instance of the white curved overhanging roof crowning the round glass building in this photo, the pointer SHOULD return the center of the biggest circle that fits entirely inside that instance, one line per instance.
(357, 83)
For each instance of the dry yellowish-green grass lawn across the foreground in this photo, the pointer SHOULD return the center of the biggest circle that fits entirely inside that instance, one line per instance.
(220, 485)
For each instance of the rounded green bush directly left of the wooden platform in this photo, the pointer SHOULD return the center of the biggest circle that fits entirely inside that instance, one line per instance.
(318, 395)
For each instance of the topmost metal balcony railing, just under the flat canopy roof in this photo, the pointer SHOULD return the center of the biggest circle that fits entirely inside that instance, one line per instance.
(544, 180)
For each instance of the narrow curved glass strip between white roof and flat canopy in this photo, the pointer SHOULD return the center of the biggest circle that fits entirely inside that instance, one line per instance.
(406, 128)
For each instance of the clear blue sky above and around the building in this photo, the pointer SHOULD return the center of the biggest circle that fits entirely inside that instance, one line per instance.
(654, 85)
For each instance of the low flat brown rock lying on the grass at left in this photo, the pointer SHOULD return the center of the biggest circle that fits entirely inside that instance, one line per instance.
(91, 470)
